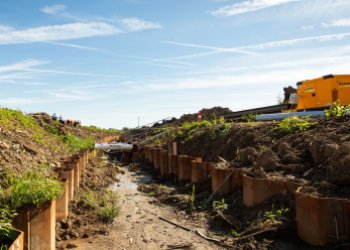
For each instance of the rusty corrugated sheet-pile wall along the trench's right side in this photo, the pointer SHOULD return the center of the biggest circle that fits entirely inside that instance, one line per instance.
(319, 220)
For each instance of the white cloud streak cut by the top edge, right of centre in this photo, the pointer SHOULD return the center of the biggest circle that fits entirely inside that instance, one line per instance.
(248, 6)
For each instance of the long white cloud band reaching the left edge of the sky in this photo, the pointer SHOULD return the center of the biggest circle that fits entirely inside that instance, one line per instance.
(58, 32)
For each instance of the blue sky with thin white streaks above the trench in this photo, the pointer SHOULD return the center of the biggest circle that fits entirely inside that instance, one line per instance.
(109, 62)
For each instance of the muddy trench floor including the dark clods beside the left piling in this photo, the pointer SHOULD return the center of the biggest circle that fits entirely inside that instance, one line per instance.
(138, 225)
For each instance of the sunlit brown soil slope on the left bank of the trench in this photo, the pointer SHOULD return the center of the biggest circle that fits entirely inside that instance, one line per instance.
(23, 147)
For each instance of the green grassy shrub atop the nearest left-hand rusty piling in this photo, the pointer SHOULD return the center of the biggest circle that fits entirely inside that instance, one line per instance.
(32, 187)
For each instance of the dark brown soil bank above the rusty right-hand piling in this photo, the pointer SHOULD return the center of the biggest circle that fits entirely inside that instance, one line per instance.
(317, 158)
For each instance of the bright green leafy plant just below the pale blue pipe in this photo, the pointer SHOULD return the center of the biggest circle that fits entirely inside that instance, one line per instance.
(294, 124)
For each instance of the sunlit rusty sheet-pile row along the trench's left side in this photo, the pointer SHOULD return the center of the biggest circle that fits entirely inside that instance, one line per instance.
(38, 224)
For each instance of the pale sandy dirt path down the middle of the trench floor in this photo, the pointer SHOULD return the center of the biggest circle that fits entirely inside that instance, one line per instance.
(138, 225)
